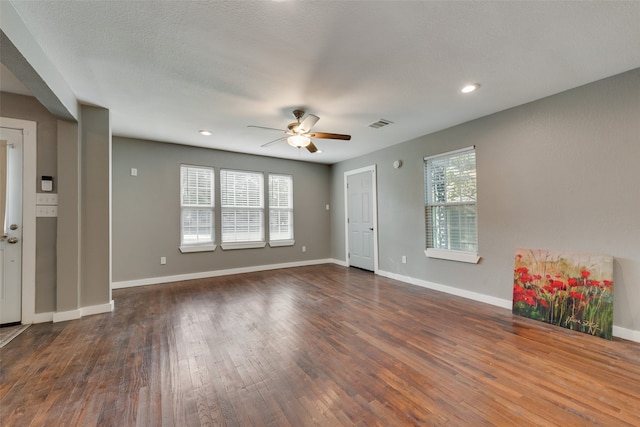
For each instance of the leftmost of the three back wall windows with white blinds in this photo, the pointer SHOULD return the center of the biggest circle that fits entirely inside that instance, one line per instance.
(196, 203)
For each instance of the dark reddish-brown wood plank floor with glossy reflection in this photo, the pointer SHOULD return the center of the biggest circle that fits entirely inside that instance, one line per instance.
(321, 345)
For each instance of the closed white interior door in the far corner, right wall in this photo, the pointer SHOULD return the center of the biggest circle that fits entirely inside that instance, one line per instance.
(361, 220)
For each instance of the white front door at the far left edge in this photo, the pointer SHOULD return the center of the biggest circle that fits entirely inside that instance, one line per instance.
(11, 222)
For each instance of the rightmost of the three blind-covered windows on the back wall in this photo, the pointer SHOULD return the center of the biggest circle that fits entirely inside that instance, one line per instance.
(280, 210)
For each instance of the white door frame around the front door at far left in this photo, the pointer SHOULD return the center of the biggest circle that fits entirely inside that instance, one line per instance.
(29, 158)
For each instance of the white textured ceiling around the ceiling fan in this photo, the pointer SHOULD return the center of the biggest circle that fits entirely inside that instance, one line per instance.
(167, 69)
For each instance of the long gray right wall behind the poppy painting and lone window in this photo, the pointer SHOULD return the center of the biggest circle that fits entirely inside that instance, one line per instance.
(559, 173)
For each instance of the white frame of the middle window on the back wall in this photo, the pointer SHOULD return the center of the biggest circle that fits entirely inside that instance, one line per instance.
(224, 209)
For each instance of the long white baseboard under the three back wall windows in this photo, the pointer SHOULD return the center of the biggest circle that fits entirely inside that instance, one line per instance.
(216, 273)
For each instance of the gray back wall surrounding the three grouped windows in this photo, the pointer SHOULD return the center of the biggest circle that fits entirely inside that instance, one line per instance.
(146, 210)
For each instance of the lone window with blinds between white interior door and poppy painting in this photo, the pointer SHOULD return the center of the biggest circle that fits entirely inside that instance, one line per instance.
(450, 208)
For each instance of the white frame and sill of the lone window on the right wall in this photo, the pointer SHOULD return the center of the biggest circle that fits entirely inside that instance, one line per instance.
(448, 253)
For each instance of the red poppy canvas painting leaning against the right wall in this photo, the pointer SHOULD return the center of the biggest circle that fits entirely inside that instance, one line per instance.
(570, 290)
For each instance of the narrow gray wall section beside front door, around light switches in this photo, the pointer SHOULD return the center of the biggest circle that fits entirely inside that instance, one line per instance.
(28, 108)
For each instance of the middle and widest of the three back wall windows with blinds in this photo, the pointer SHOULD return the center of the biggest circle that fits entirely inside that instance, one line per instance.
(242, 205)
